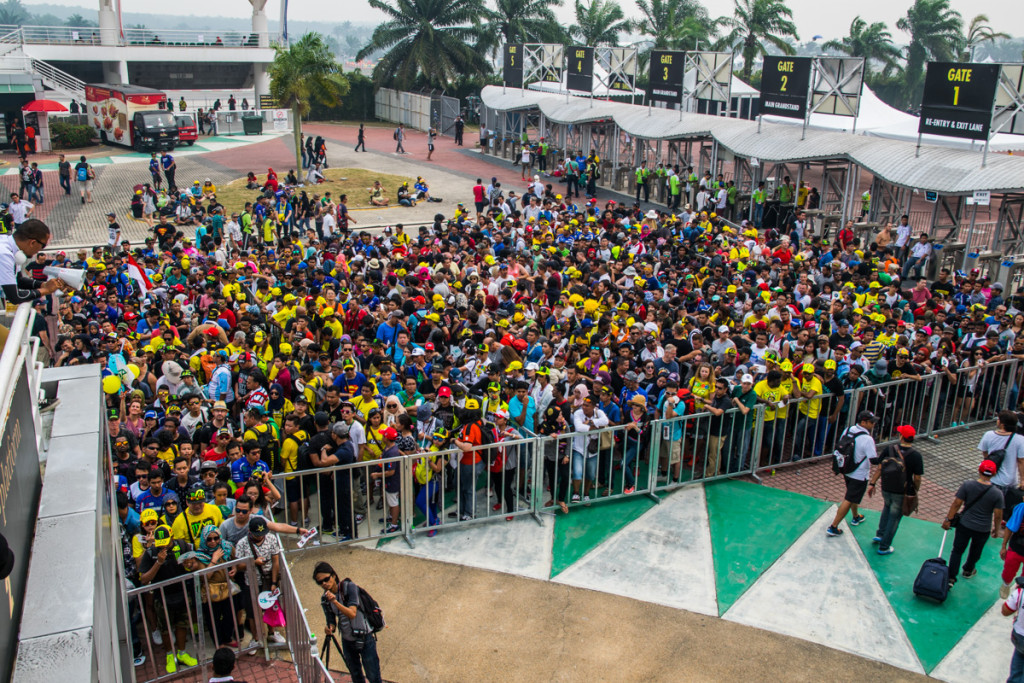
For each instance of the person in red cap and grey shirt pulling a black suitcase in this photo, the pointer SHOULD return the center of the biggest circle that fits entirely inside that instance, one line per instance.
(976, 513)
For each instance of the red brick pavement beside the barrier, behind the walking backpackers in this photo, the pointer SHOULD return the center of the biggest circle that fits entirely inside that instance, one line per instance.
(818, 480)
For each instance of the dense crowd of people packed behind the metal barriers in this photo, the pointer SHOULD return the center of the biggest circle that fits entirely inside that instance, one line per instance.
(281, 339)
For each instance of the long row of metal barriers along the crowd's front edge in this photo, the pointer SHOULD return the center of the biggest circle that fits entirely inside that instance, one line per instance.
(532, 477)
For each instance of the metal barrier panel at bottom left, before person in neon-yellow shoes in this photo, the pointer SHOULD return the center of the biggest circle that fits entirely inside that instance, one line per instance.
(186, 602)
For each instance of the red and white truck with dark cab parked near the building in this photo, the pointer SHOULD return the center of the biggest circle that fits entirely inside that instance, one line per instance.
(132, 116)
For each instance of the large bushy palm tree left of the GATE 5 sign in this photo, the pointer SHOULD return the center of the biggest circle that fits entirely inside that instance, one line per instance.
(434, 40)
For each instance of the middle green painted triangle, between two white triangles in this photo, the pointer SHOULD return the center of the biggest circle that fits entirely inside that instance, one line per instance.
(751, 528)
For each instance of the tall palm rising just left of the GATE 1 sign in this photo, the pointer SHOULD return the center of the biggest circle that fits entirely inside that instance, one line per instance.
(935, 34)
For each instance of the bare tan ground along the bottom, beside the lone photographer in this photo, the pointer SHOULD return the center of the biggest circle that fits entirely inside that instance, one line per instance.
(450, 623)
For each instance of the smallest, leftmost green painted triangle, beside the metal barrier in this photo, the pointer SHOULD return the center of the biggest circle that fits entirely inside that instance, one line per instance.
(586, 528)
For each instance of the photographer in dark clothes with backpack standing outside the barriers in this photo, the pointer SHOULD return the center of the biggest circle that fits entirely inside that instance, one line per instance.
(343, 611)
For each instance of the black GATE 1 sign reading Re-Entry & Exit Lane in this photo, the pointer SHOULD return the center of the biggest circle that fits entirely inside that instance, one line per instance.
(959, 100)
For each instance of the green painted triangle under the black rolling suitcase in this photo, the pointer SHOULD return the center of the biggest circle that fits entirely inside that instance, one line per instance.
(933, 629)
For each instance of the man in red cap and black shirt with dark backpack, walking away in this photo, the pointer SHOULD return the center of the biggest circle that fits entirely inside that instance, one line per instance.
(901, 469)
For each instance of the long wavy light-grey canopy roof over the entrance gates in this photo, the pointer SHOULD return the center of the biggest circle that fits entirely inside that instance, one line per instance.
(943, 169)
